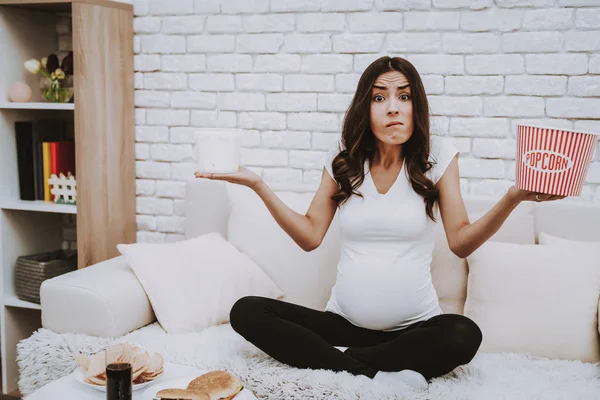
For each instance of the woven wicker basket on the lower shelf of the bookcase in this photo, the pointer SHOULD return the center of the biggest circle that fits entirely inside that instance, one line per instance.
(32, 270)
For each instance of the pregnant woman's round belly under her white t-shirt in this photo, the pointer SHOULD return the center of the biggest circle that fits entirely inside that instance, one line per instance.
(382, 298)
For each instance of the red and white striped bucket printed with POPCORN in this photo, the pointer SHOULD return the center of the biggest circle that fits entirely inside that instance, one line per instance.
(553, 161)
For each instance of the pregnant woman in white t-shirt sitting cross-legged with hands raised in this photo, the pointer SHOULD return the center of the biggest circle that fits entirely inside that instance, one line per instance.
(390, 180)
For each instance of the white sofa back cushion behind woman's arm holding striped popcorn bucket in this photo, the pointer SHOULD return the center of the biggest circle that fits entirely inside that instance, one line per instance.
(449, 272)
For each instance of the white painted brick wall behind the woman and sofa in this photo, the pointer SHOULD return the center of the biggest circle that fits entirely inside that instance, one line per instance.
(286, 70)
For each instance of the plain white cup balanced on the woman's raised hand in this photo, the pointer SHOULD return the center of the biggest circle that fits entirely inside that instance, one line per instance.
(218, 150)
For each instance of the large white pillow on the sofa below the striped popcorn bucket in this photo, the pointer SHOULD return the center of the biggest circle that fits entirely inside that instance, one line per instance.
(535, 299)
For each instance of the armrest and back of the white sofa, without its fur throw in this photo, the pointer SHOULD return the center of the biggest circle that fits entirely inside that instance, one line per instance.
(107, 300)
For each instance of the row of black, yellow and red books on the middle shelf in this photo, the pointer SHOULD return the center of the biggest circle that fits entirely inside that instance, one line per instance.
(44, 148)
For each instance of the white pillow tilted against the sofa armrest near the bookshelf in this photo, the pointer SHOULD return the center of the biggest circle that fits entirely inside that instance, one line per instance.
(192, 284)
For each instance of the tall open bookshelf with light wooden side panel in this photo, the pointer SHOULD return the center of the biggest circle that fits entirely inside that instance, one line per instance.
(104, 131)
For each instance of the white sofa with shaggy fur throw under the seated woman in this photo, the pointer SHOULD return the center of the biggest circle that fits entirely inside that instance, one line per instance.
(106, 300)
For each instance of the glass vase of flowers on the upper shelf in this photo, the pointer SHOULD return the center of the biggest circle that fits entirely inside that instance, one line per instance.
(56, 83)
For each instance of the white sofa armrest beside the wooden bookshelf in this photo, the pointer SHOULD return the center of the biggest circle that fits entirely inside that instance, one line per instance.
(104, 299)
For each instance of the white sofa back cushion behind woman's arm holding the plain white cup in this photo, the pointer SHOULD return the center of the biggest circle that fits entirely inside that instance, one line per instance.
(306, 278)
